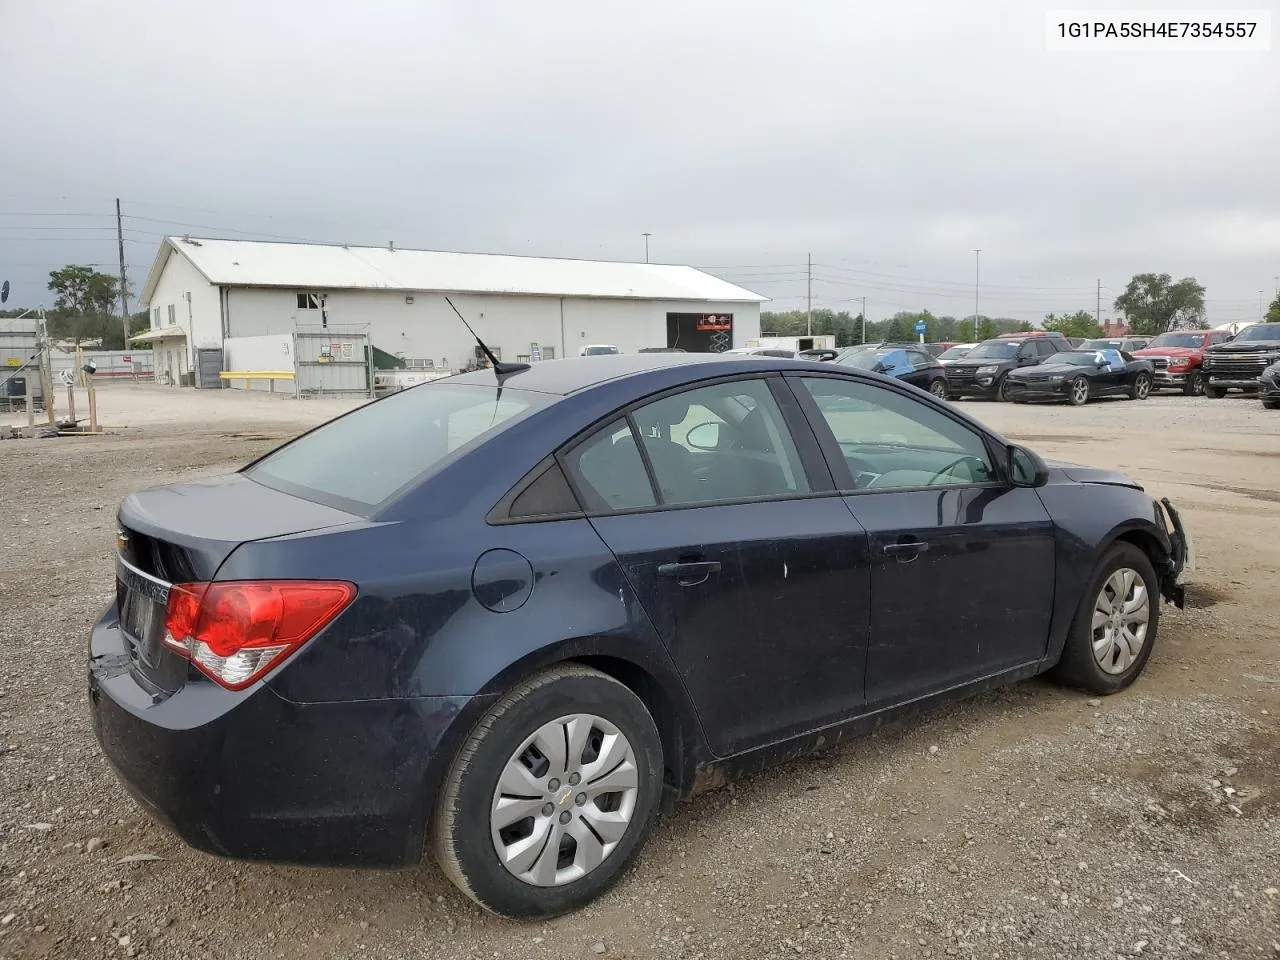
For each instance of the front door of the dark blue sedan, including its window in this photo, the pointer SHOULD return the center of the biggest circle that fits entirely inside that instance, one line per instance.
(963, 564)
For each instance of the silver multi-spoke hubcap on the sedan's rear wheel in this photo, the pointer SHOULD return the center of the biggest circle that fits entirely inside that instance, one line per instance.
(565, 801)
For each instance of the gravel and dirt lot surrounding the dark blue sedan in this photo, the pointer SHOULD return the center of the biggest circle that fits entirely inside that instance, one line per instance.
(1045, 825)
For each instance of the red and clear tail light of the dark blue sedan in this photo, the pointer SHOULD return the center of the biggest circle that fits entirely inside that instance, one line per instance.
(236, 632)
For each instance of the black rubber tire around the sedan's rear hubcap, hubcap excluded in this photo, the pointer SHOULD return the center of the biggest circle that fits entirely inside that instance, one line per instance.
(461, 836)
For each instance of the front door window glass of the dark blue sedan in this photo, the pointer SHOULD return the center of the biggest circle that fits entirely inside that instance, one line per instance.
(893, 442)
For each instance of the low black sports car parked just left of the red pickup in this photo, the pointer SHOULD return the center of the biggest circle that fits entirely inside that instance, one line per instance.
(1081, 376)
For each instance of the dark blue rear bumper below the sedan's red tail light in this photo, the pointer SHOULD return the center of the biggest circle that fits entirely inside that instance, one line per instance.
(254, 776)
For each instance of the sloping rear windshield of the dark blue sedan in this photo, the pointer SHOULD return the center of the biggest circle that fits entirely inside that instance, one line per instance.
(367, 458)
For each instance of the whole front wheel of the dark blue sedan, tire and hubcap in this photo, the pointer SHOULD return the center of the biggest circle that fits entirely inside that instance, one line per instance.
(1116, 627)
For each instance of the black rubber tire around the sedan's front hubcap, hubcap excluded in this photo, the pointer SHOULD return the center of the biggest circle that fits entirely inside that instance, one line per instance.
(1078, 668)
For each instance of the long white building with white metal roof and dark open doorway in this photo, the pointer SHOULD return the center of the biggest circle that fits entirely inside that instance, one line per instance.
(312, 309)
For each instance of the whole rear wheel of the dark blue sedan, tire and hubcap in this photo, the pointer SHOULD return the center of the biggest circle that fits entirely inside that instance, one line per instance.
(551, 796)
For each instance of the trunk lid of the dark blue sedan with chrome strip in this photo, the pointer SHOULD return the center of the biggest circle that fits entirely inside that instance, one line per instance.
(182, 533)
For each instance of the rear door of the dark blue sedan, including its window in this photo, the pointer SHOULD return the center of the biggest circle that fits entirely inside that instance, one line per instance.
(760, 589)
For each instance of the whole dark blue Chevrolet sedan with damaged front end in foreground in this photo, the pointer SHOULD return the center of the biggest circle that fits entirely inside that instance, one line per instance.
(508, 616)
